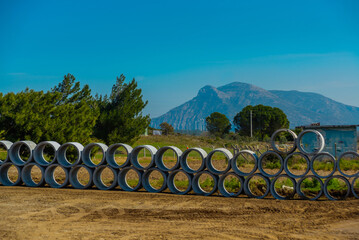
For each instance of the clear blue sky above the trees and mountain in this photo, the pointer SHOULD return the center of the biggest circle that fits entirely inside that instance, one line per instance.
(173, 48)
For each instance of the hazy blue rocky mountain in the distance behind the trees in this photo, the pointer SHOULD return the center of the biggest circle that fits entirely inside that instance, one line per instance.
(301, 108)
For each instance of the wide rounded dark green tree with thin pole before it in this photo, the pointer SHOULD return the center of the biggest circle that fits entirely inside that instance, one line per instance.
(265, 120)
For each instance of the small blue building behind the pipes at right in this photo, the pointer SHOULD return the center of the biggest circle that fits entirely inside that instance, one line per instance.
(338, 138)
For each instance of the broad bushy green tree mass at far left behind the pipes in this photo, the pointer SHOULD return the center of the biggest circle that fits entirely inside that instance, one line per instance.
(66, 113)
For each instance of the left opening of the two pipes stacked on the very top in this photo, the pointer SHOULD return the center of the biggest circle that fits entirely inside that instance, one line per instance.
(283, 141)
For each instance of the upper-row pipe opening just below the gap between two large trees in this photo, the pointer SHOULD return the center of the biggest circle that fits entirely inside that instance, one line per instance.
(94, 154)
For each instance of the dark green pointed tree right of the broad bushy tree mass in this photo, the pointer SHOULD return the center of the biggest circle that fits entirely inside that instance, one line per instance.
(121, 118)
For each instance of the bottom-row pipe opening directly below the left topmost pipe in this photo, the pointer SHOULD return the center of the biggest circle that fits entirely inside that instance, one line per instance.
(283, 187)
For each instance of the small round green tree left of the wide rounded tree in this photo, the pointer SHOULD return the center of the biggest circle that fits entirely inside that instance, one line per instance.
(218, 124)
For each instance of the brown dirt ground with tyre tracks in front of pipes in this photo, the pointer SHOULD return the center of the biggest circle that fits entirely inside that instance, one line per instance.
(46, 213)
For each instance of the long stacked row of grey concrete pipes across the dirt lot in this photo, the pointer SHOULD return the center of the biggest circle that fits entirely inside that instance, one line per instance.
(84, 160)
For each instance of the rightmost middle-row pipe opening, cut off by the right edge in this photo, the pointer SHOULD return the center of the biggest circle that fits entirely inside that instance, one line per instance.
(348, 164)
